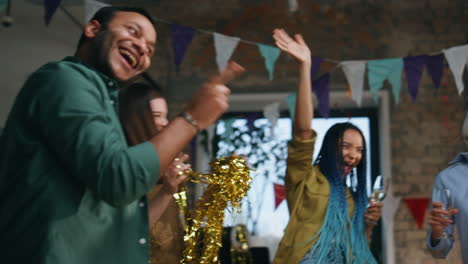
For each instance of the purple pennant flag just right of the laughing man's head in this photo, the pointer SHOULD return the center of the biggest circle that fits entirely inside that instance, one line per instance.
(181, 38)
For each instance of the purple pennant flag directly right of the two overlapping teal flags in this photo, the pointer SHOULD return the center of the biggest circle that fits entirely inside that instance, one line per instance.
(413, 70)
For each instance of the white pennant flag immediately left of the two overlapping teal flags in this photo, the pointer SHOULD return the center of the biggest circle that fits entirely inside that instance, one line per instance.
(355, 72)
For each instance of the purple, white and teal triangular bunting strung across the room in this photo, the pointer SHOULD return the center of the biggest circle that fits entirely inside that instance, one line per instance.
(378, 71)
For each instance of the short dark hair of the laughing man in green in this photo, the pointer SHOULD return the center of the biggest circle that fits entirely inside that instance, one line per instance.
(105, 15)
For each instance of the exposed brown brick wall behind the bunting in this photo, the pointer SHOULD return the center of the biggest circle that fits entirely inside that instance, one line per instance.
(425, 135)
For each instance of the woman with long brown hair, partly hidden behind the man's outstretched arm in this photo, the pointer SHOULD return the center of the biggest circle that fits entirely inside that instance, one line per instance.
(143, 113)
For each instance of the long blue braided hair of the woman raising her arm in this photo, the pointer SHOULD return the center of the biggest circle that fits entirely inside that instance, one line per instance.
(340, 235)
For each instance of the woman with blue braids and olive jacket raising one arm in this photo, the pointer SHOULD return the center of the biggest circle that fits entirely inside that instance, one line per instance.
(329, 222)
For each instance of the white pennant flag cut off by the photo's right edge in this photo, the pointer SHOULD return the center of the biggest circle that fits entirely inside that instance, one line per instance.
(457, 58)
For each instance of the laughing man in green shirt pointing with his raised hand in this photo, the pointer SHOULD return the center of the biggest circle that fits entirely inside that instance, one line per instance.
(71, 190)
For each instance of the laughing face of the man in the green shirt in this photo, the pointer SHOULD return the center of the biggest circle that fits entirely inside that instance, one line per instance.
(123, 49)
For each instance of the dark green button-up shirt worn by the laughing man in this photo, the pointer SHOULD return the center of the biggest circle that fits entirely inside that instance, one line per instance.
(71, 190)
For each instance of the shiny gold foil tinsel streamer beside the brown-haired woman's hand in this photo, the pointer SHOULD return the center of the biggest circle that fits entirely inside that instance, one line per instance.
(228, 183)
